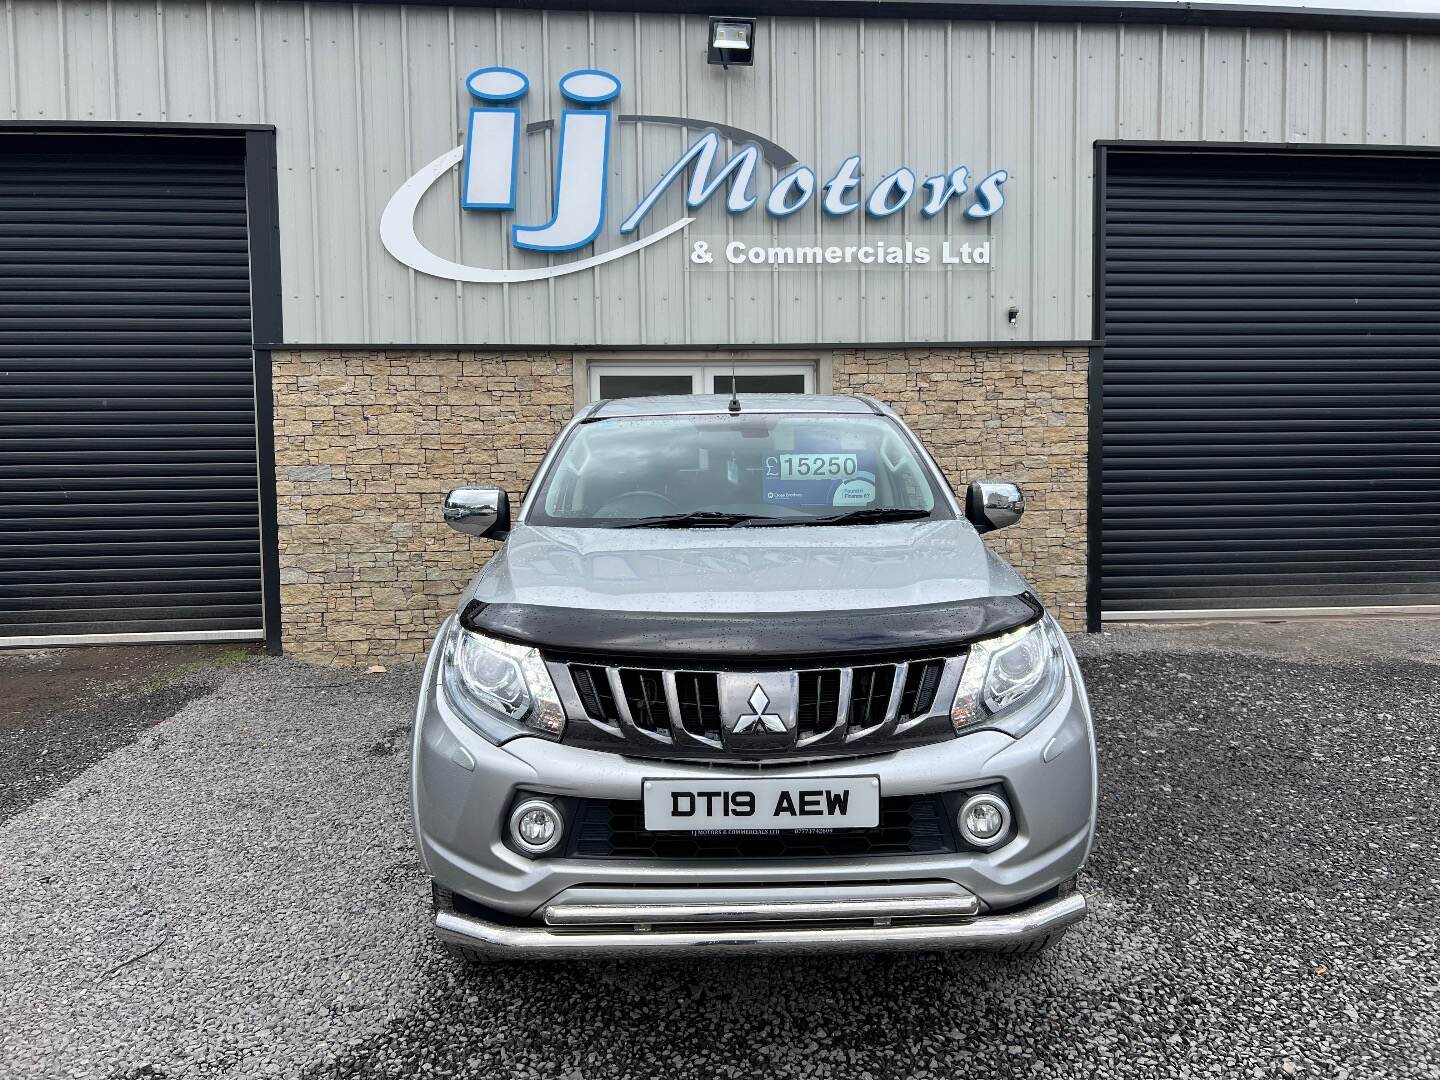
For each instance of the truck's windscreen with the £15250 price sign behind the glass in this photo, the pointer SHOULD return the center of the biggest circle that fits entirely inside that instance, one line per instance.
(634, 469)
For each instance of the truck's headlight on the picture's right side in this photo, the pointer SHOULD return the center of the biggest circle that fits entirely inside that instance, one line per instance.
(1009, 675)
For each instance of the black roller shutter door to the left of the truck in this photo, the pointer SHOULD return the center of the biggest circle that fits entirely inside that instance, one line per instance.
(129, 498)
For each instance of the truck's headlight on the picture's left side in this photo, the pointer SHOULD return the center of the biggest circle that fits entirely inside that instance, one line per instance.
(500, 689)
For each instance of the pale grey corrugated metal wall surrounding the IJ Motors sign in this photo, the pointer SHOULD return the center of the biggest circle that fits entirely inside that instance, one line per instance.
(364, 96)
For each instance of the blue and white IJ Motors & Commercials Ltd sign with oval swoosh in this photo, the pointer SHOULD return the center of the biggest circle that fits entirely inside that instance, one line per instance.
(489, 162)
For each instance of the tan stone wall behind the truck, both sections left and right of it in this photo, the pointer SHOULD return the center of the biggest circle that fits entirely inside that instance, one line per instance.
(368, 443)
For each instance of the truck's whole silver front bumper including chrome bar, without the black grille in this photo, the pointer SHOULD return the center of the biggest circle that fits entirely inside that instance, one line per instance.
(509, 905)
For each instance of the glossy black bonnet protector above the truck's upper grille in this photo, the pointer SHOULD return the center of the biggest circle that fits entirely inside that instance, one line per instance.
(752, 637)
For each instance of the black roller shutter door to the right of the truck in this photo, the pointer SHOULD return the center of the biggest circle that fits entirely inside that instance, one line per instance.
(1271, 415)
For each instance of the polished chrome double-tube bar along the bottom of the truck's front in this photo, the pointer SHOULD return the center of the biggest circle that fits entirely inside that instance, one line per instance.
(650, 931)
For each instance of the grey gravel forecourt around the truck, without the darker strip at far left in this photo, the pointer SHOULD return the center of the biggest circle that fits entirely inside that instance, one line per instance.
(235, 895)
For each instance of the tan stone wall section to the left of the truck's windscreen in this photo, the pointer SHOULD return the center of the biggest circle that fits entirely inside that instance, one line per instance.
(366, 447)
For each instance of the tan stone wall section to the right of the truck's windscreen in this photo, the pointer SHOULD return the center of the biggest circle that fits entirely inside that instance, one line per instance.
(1002, 415)
